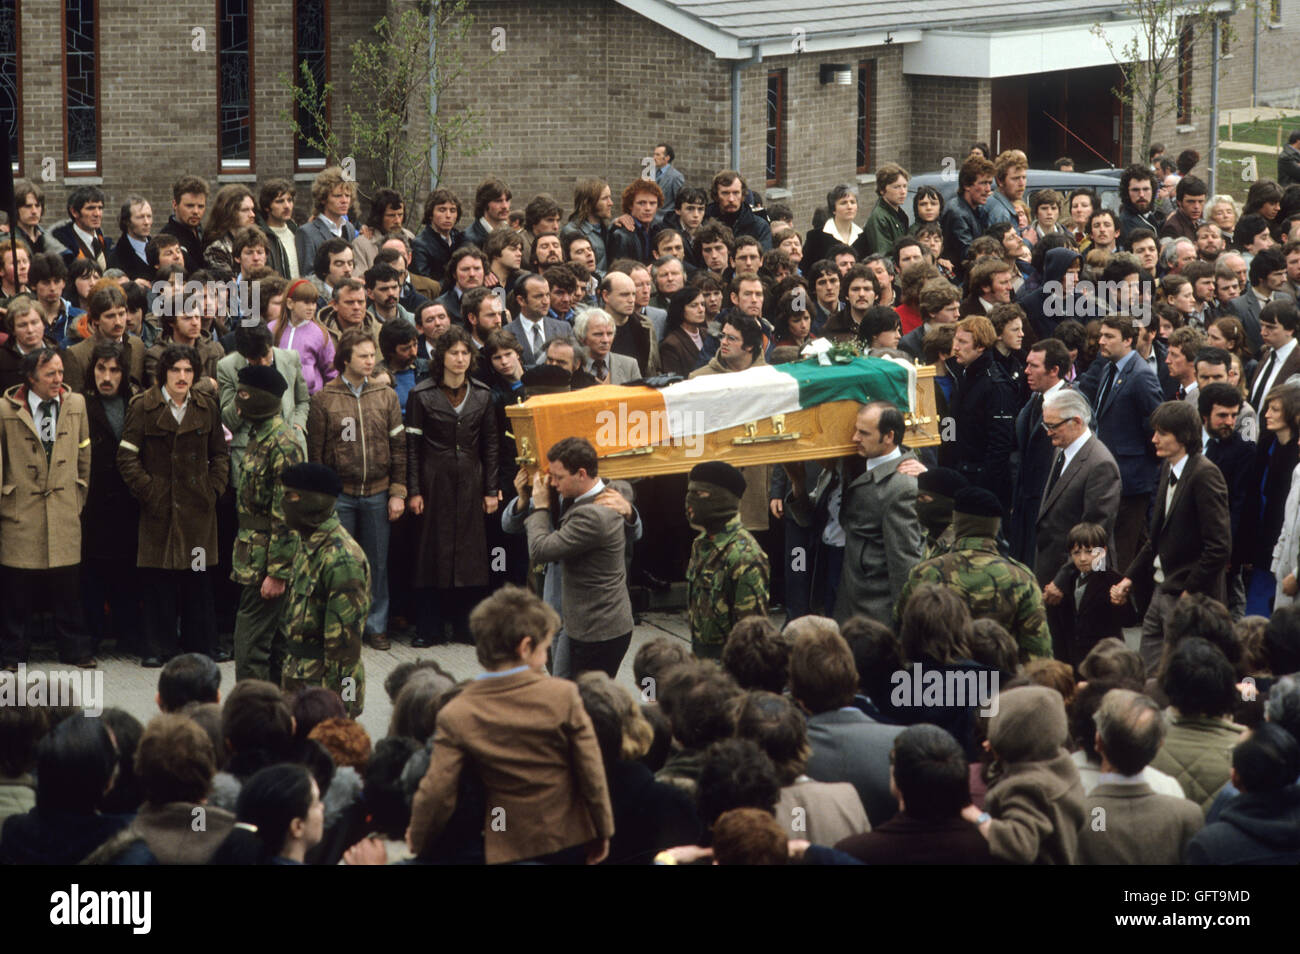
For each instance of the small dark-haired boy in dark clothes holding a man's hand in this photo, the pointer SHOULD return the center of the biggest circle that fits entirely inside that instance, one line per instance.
(1085, 615)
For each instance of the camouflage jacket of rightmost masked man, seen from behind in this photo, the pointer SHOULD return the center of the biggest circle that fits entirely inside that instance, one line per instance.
(994, 587)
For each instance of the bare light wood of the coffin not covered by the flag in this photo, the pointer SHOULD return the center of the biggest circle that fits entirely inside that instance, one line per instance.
(825, 431)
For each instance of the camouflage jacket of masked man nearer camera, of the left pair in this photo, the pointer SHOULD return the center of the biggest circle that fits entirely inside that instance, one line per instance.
(328, 601)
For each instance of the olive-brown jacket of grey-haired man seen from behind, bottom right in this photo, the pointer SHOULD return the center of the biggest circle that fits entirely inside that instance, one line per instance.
(1139, 827)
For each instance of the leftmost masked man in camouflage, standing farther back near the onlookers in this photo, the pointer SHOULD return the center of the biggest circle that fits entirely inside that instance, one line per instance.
(265, 548)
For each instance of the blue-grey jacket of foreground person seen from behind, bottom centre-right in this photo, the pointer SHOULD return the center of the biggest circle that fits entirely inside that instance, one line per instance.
(850, 747)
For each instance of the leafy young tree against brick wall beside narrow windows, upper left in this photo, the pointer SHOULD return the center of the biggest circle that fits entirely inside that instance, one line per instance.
(395, 123)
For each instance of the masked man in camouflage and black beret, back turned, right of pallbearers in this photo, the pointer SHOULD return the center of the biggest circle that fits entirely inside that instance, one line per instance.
(994, 587)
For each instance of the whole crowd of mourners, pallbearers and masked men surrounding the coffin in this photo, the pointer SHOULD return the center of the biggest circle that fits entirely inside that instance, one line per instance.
(220, 444)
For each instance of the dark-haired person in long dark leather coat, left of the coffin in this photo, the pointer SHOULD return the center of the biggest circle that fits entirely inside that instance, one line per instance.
(452, 466)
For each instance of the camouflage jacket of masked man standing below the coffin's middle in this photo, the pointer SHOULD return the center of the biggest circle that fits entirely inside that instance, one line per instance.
(727, 580)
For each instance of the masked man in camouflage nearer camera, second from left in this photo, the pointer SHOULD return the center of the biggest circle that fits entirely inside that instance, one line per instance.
(330, 592)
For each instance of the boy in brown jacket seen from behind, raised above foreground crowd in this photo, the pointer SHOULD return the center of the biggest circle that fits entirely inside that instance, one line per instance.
(528, 739)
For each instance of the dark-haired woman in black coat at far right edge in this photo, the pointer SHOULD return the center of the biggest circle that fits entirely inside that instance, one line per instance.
(1276, 459)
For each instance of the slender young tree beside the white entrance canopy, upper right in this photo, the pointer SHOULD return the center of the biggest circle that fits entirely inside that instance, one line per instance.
(1155, 63)
